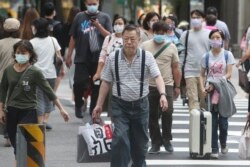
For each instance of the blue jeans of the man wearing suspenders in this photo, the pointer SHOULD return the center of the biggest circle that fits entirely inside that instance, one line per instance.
(130, 137)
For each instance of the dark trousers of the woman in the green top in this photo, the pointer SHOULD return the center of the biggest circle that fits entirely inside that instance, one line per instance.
(17, 116)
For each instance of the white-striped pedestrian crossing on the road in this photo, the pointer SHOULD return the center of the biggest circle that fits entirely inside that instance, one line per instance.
(180, 130)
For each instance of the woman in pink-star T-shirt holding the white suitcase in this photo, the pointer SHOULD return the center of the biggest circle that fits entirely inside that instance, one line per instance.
(218, 64)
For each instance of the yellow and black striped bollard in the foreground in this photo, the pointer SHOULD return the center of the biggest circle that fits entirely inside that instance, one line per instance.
(30, 145)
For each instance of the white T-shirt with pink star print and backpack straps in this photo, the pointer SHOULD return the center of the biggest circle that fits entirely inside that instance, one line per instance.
(217, 64)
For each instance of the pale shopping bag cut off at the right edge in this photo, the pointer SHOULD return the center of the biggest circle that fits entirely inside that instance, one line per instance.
(244, 144)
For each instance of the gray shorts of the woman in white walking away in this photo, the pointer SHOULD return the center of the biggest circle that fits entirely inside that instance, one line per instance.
(44, 104)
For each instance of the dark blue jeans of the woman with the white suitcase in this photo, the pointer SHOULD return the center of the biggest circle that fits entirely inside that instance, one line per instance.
(222, 123)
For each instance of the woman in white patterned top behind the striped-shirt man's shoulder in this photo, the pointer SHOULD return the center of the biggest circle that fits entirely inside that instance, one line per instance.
(110, 44)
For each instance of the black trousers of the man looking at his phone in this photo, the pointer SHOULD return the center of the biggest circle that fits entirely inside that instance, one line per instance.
(84, 73)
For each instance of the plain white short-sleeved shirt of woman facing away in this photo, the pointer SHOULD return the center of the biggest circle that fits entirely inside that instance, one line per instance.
(45, 51)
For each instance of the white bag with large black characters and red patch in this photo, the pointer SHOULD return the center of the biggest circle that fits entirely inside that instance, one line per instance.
(98, 138)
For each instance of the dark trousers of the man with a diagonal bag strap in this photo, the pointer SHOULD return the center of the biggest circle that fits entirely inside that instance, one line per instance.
(155, 113)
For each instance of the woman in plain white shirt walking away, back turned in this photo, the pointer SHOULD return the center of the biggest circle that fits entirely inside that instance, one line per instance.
(45, 47)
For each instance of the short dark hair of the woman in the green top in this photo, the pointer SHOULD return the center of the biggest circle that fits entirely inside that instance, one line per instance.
(27, 46)
